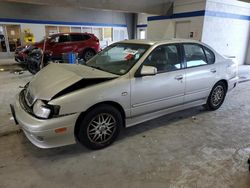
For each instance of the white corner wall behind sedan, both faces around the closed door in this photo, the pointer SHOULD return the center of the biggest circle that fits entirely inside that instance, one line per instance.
(227, 35)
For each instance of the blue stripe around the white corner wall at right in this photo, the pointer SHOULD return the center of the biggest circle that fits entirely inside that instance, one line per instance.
(201, 13)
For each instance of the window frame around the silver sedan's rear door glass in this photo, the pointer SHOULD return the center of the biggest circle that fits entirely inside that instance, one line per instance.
(202, 47)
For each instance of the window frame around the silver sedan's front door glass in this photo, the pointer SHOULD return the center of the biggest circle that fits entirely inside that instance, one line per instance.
(180, 55)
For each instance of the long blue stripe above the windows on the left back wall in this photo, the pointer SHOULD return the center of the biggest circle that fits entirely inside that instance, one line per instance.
(60, 22)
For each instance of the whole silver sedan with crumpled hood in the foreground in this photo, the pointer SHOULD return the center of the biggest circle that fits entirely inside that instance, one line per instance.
(127, 83)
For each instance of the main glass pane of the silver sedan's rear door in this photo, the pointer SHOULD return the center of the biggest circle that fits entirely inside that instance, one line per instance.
(194, 55)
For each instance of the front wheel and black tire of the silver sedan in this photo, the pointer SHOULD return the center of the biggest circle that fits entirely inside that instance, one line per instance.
(93, 131)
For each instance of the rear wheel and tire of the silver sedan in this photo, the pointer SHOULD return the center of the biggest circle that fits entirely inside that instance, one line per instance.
(216, 96)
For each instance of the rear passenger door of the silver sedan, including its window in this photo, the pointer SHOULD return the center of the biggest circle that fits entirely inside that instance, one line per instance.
(200, 71)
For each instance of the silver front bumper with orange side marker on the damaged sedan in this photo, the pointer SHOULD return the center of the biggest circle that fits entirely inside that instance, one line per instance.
(42, 132)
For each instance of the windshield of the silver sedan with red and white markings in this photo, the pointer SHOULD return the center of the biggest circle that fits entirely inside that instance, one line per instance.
(118, 58)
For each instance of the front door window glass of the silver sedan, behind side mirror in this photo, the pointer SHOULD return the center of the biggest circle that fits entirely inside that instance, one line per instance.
(164, 58)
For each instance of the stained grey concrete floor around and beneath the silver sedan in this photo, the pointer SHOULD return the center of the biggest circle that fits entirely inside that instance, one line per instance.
(192, 148)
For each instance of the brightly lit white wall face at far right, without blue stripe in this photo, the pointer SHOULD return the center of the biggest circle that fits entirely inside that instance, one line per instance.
(227, 35)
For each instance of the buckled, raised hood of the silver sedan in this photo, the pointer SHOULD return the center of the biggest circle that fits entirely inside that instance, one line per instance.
(55, 78)
